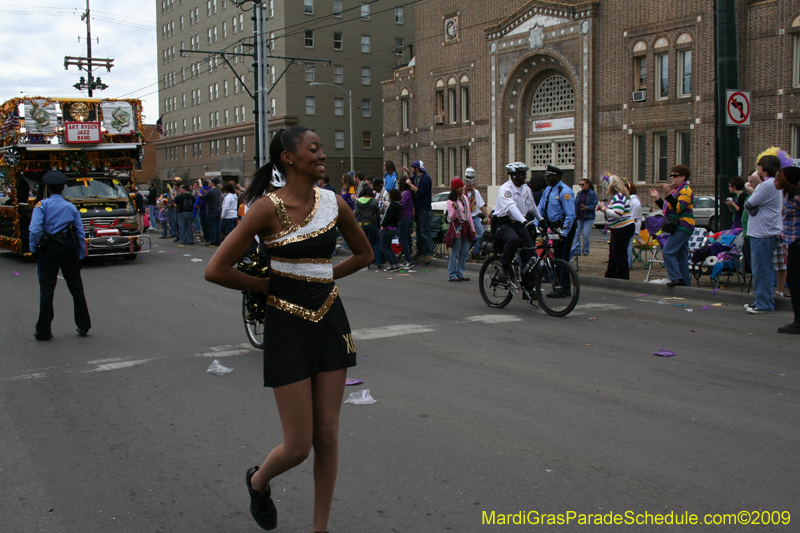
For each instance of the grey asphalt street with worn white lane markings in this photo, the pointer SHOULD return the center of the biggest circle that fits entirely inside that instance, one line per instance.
(478, 410)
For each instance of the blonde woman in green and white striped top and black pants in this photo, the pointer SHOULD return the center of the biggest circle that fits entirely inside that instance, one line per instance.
(618, 218)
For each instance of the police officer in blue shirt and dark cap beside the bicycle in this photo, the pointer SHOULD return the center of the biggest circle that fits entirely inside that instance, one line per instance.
(557, 206)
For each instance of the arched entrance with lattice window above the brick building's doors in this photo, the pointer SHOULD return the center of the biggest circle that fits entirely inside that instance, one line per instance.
(550, 123)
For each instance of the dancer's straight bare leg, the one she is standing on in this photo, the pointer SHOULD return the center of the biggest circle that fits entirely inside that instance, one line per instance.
(328, 389)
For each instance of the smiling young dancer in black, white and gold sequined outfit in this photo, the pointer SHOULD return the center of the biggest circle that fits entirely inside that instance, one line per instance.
(307, 342)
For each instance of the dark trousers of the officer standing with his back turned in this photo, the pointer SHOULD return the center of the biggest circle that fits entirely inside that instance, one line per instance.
(65, 257)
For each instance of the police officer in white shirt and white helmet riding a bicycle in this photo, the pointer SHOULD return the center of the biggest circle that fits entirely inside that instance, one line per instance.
(514, 203)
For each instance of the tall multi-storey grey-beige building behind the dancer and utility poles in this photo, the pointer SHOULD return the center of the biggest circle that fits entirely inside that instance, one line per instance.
(208, 112)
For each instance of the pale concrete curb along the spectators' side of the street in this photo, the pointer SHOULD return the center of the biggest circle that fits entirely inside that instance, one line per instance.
(638, 287)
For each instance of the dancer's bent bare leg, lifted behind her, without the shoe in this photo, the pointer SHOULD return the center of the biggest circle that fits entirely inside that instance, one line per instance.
(295, 408)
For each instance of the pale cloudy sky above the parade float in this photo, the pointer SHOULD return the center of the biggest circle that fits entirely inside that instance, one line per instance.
(36, 36)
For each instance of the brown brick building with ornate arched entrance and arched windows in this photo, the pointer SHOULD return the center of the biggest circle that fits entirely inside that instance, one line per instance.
(591, 86)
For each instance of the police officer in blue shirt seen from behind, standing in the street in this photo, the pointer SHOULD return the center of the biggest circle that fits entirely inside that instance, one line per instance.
(56, 233)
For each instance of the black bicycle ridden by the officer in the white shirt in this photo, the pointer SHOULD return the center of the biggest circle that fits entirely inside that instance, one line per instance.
(540, 280)
